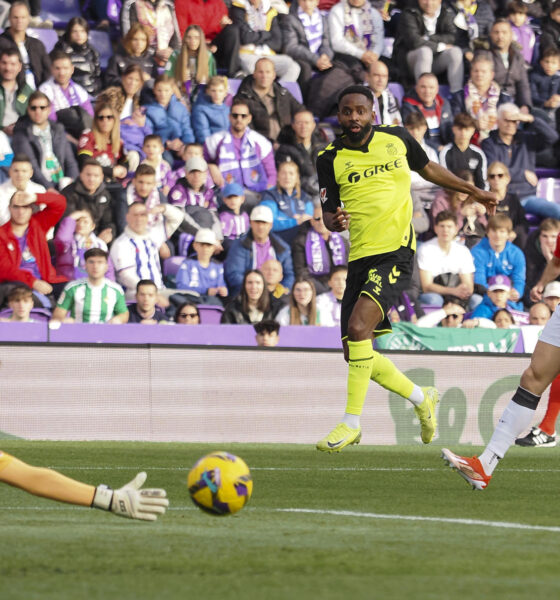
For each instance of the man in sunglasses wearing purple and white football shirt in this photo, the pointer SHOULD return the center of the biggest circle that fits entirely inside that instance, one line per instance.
(241, 154)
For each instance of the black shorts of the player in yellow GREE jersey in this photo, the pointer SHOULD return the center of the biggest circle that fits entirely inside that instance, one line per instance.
(383, 278)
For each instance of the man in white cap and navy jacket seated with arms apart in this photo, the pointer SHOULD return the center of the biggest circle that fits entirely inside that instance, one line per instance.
(256, 247)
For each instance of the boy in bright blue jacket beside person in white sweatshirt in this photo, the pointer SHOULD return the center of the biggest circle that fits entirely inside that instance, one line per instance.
(496, 255)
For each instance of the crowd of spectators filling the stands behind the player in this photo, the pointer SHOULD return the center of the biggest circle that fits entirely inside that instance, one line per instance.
(139, 192)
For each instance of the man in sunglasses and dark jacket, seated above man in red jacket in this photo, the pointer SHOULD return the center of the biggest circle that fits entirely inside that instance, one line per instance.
(45, 143)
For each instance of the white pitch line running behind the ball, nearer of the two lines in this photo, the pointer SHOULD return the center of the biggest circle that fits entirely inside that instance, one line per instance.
(338, 513)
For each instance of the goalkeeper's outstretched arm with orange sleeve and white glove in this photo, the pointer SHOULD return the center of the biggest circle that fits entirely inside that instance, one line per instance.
(130, 501)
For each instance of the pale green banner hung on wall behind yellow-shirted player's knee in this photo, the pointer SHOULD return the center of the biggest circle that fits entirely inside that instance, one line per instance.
(407, 336)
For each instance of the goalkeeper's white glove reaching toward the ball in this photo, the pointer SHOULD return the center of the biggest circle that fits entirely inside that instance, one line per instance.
(131, 501)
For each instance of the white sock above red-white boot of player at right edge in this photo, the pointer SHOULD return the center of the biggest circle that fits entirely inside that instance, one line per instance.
(514, 420)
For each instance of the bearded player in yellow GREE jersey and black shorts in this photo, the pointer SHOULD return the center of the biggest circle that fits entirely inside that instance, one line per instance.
(364, 178)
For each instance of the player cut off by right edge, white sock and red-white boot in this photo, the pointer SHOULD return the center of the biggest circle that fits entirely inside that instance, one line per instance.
(519, 413)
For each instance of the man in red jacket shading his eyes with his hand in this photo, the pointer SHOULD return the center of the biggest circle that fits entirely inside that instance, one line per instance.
(25, 256)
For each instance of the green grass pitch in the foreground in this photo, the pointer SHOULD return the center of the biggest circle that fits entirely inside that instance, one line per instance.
(51, 551)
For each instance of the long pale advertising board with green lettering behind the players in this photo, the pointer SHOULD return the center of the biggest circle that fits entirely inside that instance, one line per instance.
(237, 395)
